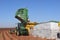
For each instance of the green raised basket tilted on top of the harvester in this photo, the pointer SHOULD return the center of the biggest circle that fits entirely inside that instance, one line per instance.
(22, 14)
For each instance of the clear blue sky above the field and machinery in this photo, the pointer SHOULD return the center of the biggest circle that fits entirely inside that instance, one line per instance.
(38, 11)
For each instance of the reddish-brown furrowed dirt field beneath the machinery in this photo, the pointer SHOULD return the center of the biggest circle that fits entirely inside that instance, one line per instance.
(5, 35)
